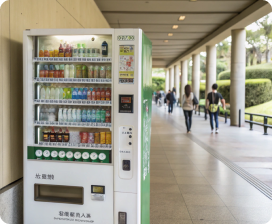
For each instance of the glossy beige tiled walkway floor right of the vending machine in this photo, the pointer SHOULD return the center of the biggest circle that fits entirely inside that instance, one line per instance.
(189, 185)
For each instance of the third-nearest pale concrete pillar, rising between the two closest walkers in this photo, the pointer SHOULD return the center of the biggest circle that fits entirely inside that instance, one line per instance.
(196, 75)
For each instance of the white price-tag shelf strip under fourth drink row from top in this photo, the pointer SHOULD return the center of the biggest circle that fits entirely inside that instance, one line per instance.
(73, 124)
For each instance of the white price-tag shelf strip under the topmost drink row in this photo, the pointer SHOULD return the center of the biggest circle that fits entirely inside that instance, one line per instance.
(77, 59)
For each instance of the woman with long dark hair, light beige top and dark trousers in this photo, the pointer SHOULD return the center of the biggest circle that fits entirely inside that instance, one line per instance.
(188, 106)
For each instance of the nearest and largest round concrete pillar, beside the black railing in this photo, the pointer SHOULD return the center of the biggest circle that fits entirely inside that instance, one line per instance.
(237, 77)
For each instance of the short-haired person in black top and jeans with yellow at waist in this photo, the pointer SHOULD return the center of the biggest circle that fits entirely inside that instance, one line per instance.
(212, 102)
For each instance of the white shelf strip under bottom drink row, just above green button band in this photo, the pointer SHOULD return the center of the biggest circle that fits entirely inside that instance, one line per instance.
(74, 146)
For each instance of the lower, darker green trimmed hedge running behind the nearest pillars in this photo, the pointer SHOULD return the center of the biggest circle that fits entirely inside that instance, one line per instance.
(258, 91)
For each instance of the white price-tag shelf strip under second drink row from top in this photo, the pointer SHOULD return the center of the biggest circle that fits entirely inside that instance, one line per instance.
(73, 80)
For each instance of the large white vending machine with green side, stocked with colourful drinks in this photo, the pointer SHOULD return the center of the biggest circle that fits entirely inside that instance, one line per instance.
(87, 126)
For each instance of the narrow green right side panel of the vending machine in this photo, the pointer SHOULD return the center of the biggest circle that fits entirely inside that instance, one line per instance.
(146, 128)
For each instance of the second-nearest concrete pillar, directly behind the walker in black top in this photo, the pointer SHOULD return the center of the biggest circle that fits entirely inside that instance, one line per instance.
(210, 68)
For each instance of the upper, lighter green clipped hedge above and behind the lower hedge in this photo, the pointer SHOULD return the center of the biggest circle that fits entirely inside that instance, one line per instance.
(251, 73)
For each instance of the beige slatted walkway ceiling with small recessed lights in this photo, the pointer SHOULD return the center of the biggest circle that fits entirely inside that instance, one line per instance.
(157, 17)
